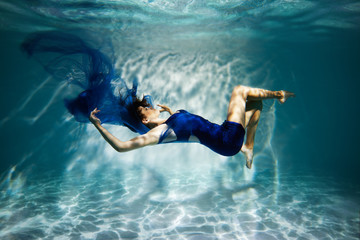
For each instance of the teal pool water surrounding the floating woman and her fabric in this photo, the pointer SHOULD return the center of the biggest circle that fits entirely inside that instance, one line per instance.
(59, 180)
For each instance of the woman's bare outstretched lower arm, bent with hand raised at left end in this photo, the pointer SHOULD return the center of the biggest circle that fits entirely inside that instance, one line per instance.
(150, 138)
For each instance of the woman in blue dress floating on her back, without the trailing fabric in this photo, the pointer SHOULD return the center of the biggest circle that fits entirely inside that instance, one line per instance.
(226, 139)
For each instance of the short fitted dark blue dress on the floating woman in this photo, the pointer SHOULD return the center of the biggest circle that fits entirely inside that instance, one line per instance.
(225, 139)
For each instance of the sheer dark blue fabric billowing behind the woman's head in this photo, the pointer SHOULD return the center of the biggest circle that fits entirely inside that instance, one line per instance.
(67, 57)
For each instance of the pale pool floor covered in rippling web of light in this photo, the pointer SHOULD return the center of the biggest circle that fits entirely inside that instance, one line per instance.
(137, 203)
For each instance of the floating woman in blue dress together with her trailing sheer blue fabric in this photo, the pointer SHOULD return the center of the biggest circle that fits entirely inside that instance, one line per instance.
(66, 56)
